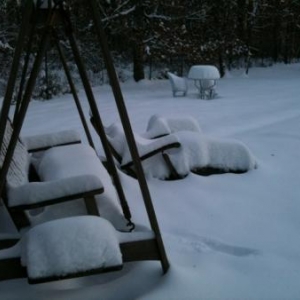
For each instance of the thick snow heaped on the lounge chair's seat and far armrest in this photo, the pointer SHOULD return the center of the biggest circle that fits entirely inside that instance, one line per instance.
(199, 153)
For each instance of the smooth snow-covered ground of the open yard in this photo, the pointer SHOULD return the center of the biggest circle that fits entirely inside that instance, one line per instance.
(229, 236)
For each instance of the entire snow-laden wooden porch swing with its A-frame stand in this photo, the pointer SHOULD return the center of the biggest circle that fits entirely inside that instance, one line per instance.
(90, 234)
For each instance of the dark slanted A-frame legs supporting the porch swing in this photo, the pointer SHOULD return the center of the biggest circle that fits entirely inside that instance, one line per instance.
(57, 11)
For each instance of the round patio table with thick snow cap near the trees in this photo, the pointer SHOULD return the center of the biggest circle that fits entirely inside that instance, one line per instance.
(205, 78)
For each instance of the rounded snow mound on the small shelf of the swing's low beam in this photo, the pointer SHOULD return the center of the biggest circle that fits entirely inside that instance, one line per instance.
(70, 247)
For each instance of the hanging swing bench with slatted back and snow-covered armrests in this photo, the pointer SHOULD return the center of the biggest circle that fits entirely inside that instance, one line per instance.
(50, 187)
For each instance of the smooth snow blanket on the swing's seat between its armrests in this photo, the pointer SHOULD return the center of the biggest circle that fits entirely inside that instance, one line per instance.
(61, 163)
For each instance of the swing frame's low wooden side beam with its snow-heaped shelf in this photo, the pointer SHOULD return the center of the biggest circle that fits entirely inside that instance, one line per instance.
(74, 247)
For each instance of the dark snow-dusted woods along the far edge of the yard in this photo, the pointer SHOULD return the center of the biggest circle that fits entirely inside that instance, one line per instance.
(152, 35)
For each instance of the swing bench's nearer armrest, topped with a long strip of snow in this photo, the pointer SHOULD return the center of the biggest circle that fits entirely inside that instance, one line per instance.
(38, 194)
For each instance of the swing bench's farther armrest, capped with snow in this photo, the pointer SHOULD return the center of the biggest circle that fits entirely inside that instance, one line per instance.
(43, 142)
